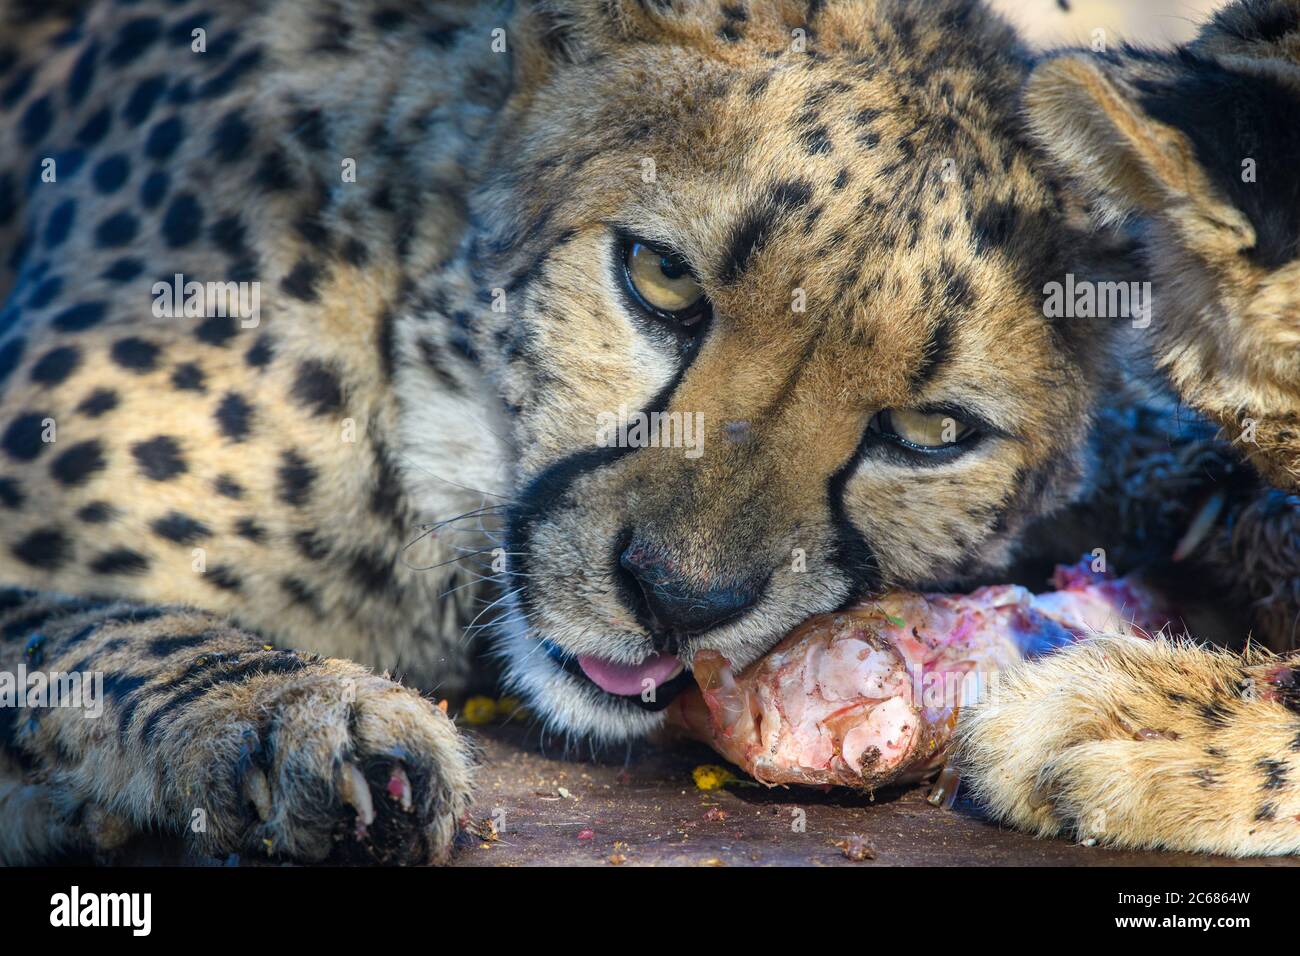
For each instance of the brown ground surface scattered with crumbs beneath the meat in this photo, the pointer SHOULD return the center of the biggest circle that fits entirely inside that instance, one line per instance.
(651, 814)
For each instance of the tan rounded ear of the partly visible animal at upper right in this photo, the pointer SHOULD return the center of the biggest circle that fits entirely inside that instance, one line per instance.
(1091, 122)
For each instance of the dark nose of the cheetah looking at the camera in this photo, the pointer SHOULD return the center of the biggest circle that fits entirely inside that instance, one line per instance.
(674, 608)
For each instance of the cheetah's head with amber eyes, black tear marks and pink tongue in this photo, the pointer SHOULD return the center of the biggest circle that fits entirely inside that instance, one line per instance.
(824, 274)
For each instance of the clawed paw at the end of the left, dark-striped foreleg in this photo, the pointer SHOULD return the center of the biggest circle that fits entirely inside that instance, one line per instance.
(320, 760)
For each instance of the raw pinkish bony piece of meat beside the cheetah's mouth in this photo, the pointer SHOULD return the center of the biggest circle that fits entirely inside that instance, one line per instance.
(870, 695)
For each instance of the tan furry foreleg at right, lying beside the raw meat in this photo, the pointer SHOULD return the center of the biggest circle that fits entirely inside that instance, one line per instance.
(1143, 745)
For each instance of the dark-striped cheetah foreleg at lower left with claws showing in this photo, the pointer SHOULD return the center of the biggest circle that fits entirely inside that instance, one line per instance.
(189, 725)
